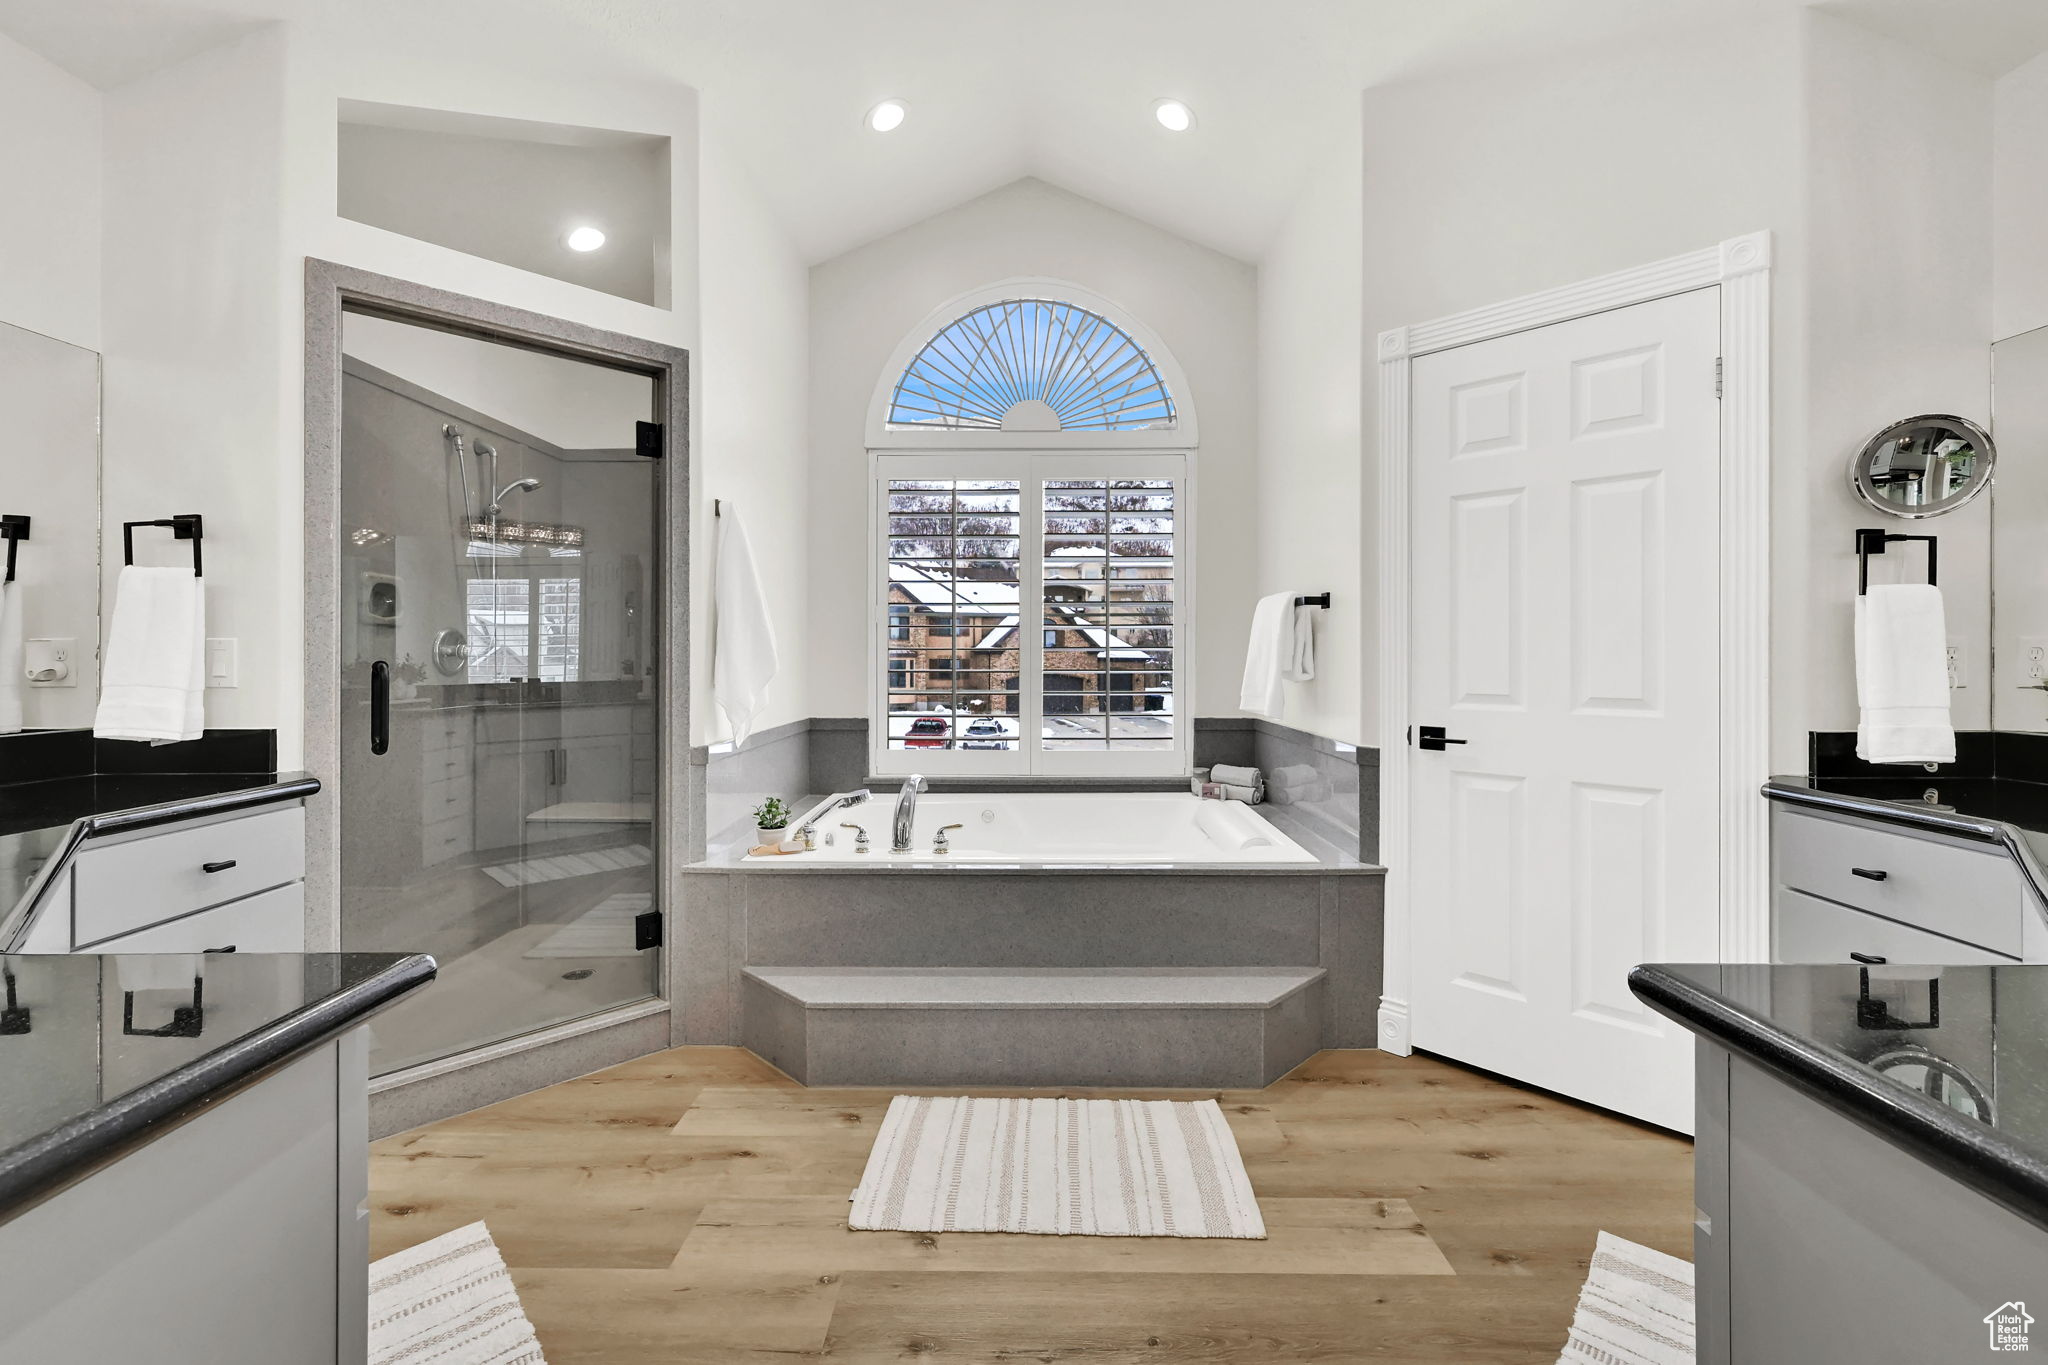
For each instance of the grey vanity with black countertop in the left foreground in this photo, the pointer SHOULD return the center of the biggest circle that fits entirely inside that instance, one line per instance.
(185, 1155)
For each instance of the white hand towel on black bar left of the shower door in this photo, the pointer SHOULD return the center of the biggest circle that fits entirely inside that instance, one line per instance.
(153, 685)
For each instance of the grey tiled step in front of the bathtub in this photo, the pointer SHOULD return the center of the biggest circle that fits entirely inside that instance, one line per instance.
(1207, 1028)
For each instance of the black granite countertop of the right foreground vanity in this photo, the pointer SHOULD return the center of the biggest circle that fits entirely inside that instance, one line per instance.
(1947, 1063)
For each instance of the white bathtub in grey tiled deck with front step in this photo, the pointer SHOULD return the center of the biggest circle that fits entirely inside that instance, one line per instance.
(1029, 965)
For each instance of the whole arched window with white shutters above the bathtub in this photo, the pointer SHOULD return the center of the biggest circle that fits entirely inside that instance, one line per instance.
(1031, 588)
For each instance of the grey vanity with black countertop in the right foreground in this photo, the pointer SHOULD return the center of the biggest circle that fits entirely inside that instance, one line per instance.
(1871, 1157)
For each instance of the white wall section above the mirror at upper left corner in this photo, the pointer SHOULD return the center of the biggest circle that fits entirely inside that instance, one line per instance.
(50, 200)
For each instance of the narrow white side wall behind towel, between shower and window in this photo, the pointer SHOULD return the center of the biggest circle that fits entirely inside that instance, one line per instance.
(753, 421)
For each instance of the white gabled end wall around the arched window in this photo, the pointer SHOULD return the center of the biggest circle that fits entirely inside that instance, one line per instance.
(1201, 304)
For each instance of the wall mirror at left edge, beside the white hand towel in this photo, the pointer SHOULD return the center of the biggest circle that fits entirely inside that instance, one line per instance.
(50, 500)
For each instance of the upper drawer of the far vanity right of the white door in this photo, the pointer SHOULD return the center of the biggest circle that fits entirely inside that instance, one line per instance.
(1961, 893)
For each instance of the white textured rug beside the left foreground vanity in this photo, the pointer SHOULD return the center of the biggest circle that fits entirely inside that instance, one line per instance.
(450, 1303)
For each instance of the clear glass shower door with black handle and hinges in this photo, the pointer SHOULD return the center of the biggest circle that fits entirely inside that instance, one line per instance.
(501, 725)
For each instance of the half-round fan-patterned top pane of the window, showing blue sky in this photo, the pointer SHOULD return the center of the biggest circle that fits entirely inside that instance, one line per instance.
(1033, 365)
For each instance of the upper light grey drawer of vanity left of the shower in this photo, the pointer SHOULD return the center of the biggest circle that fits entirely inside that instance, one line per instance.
(161, 877)
